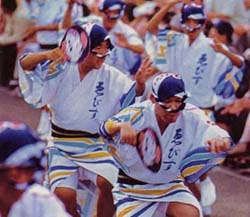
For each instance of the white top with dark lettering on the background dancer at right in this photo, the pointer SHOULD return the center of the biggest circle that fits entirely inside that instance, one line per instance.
(198, 63)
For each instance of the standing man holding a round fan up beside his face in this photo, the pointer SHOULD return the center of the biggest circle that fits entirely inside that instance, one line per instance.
(81, 94)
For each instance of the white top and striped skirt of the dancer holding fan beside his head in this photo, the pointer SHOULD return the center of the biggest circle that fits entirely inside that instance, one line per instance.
(78, 105)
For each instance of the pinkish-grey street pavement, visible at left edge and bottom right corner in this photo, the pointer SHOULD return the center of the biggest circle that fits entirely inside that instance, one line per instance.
(233, 189)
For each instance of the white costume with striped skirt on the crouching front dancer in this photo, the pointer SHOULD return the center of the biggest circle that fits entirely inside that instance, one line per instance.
(184, 156)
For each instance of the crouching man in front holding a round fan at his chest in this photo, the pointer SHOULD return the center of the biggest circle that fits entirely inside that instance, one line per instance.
(160, 144)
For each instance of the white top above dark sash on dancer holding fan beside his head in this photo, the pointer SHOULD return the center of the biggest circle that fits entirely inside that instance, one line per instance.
(76, 105)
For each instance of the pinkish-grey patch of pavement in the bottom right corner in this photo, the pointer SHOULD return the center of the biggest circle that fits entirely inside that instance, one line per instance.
(233, 193)
